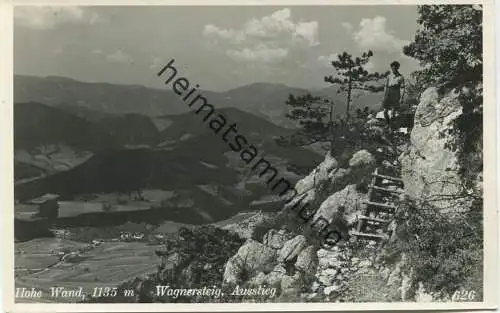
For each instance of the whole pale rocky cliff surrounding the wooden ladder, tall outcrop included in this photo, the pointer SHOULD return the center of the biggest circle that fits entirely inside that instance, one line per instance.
(353, 270)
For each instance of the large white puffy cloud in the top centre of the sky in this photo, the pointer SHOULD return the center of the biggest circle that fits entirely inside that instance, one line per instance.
(268, 39)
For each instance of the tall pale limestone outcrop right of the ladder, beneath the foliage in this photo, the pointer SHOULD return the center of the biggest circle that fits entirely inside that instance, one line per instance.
(429, 168)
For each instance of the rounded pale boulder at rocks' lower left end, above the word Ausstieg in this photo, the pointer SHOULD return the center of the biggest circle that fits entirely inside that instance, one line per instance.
(251, 258)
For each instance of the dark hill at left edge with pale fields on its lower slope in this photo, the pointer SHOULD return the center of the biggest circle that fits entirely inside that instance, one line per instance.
(49, 140)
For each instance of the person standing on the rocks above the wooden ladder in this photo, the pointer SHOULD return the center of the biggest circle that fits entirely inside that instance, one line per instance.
(393, 93)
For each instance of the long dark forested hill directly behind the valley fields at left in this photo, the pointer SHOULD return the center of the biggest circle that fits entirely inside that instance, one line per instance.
(129, 170)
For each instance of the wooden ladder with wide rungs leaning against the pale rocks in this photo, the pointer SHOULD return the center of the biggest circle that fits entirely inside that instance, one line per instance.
(377, 214)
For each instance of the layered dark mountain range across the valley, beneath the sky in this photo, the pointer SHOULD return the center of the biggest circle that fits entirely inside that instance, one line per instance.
(78, 139)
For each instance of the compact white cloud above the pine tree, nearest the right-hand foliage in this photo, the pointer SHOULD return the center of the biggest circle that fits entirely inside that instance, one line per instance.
(372, 34)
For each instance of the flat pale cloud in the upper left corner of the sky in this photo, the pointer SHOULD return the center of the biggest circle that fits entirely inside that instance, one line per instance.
(46, 17)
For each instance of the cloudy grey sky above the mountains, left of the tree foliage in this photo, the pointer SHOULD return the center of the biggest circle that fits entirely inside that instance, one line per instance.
(217, 47)
